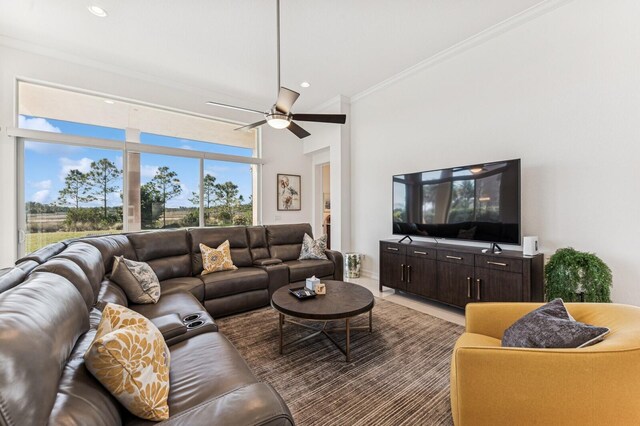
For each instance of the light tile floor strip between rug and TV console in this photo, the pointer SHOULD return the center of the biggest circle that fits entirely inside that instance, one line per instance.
(432, 308)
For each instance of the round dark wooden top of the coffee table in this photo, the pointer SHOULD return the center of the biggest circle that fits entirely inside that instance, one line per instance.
(343, 300)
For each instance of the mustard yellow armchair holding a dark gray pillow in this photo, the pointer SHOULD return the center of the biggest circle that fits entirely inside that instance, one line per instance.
(596, 385)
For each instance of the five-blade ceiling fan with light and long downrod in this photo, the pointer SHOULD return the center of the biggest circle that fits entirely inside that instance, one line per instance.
(279, 116)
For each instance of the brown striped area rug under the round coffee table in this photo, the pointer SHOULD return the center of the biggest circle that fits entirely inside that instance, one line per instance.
(399, 374)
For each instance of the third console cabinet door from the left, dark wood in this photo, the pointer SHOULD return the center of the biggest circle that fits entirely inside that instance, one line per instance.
(455, 283)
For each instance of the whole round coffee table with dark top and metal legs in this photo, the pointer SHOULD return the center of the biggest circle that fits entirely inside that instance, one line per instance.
(343, 301)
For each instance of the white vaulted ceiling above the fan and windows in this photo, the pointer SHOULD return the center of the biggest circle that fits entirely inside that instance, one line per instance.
(228, 47)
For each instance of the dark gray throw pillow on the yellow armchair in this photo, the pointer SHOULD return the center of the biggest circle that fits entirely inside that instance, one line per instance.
(551, 326)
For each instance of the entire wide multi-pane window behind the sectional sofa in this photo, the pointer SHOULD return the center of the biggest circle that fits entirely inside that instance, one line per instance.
(181, 170)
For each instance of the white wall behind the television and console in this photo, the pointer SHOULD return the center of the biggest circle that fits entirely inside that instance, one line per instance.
(561, 92)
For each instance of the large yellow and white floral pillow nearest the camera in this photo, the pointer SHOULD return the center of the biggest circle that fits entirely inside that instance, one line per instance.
(131, 359)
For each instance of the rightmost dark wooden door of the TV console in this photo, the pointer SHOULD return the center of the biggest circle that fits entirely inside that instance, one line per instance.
(497, 286)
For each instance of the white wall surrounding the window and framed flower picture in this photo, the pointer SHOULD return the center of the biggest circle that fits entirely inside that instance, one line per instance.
(281, 151)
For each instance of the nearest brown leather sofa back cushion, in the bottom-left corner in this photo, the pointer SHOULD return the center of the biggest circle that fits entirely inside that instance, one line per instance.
(40, 322)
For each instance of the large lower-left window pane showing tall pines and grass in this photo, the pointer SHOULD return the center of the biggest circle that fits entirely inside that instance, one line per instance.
(70, 192)
